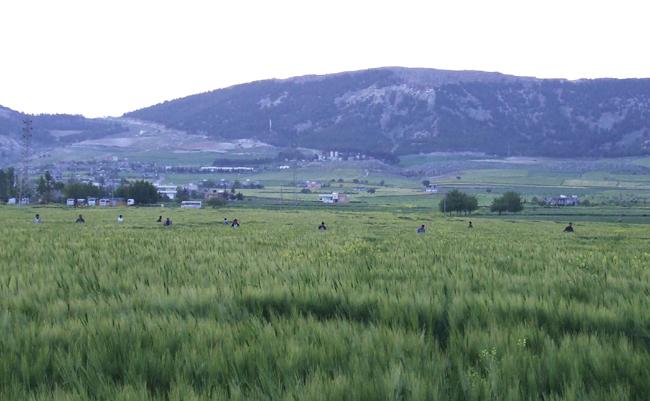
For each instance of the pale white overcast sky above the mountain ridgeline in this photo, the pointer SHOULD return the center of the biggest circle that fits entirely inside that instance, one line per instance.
(104, 58)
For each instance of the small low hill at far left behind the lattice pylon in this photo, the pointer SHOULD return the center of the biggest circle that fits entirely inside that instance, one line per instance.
(49, 131)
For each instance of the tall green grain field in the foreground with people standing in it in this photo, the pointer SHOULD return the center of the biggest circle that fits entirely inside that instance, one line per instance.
(276, 310)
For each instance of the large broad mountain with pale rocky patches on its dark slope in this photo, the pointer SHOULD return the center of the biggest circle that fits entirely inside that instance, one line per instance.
(401, 110)
